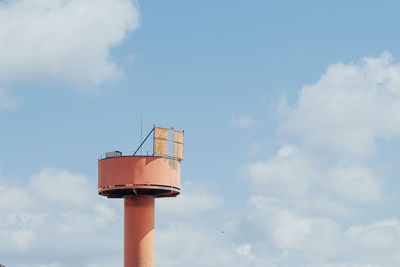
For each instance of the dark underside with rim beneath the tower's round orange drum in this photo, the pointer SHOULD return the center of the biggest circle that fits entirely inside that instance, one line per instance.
(120, 191)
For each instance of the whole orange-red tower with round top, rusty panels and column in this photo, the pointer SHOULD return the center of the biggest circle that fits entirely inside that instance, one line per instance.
(139, 179)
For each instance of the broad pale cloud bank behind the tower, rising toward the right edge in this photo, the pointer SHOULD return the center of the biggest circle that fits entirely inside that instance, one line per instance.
(315, 202)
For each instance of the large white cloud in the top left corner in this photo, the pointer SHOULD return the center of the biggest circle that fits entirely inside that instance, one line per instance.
(66, 40)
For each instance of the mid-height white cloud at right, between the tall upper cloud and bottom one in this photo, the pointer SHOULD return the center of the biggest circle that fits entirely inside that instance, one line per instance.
(293, 175)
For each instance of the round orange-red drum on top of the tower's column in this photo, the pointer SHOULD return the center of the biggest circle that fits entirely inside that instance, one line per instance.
(138, 175)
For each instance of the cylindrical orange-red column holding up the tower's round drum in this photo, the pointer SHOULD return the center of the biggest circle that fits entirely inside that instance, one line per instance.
(139, 231)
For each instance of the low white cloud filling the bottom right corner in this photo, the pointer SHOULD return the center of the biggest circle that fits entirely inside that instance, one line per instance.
(276, 235)
